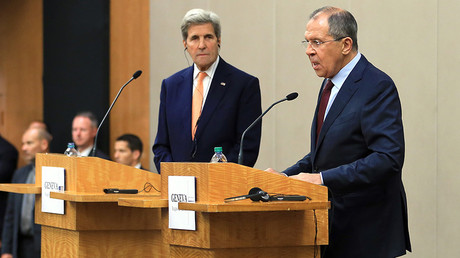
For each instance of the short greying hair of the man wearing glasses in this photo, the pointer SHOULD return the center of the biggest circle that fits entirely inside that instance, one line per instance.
(341, 23)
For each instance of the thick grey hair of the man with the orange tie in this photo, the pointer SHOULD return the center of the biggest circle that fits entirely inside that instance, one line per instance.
(199, 16)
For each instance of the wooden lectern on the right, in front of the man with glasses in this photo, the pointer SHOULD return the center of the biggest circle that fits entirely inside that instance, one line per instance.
(245, 228)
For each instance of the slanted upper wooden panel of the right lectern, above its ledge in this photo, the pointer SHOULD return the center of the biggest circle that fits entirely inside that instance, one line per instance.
(217, 181)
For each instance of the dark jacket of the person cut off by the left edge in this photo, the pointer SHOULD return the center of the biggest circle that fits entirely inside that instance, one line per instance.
(8, 163)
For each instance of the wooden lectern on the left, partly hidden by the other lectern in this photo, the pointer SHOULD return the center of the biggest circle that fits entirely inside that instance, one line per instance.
(93, 224)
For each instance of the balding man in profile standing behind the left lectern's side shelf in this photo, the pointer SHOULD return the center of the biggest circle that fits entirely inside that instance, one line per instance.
(21, 237)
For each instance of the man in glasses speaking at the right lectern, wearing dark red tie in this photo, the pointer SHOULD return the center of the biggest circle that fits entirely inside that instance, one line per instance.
(357, 143)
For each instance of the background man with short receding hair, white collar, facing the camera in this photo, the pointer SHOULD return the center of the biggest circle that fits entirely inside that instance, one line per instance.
(84, 129)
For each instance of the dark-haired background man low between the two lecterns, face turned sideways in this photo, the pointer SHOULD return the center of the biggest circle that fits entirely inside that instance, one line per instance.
(128, 150)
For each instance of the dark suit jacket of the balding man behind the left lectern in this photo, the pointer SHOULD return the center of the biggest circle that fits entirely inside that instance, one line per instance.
(11, 234)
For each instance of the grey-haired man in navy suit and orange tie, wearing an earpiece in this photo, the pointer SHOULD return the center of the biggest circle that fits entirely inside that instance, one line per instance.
(228, 101)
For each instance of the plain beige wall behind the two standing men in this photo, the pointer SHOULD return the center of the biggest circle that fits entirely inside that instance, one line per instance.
(412, 41)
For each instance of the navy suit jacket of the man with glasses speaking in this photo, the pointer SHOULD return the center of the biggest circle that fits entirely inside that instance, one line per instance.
(360, 152)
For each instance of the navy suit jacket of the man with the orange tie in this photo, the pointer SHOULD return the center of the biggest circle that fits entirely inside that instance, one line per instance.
(232, 104)
